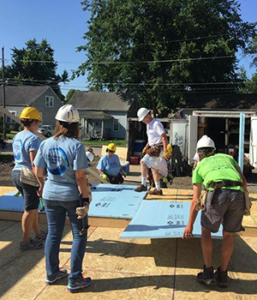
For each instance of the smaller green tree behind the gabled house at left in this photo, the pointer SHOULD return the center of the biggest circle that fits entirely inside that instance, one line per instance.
(35, 65)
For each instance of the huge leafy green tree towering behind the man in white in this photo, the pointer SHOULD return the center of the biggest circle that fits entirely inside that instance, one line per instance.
(162, 48)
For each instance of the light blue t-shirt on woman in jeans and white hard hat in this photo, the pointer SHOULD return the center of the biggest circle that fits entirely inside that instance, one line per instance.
(61, 158)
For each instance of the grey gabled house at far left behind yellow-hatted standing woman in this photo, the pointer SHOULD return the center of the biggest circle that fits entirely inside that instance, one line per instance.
(42, 98)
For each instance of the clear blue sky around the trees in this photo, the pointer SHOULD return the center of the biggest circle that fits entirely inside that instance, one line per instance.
(63, 24)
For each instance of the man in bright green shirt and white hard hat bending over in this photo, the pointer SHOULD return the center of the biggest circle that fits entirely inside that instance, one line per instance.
(224, 203)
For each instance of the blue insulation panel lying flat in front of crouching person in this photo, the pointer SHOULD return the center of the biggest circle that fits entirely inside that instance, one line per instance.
(114, 201)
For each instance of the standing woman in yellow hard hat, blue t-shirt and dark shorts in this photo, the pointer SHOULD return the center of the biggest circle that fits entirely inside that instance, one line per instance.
(25, 146)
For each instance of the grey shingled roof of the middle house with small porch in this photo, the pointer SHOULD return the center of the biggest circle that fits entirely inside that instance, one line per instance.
(103, 101)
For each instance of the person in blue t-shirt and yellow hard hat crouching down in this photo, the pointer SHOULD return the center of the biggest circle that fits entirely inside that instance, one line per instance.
(109, 166)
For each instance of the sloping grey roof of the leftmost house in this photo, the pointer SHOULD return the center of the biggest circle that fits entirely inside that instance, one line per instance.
(21, 95)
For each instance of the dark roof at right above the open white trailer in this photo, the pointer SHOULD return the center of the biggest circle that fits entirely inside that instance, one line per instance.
(229, 101)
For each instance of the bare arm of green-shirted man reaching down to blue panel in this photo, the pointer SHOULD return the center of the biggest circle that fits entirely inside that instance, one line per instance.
(197, 188)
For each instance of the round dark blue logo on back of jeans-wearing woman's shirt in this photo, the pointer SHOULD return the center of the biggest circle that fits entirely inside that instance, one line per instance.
(57, 161)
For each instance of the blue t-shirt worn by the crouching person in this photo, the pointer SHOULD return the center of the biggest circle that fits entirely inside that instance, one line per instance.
(109, 165)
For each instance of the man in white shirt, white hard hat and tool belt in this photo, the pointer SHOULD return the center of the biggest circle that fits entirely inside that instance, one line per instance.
(155, 152)
